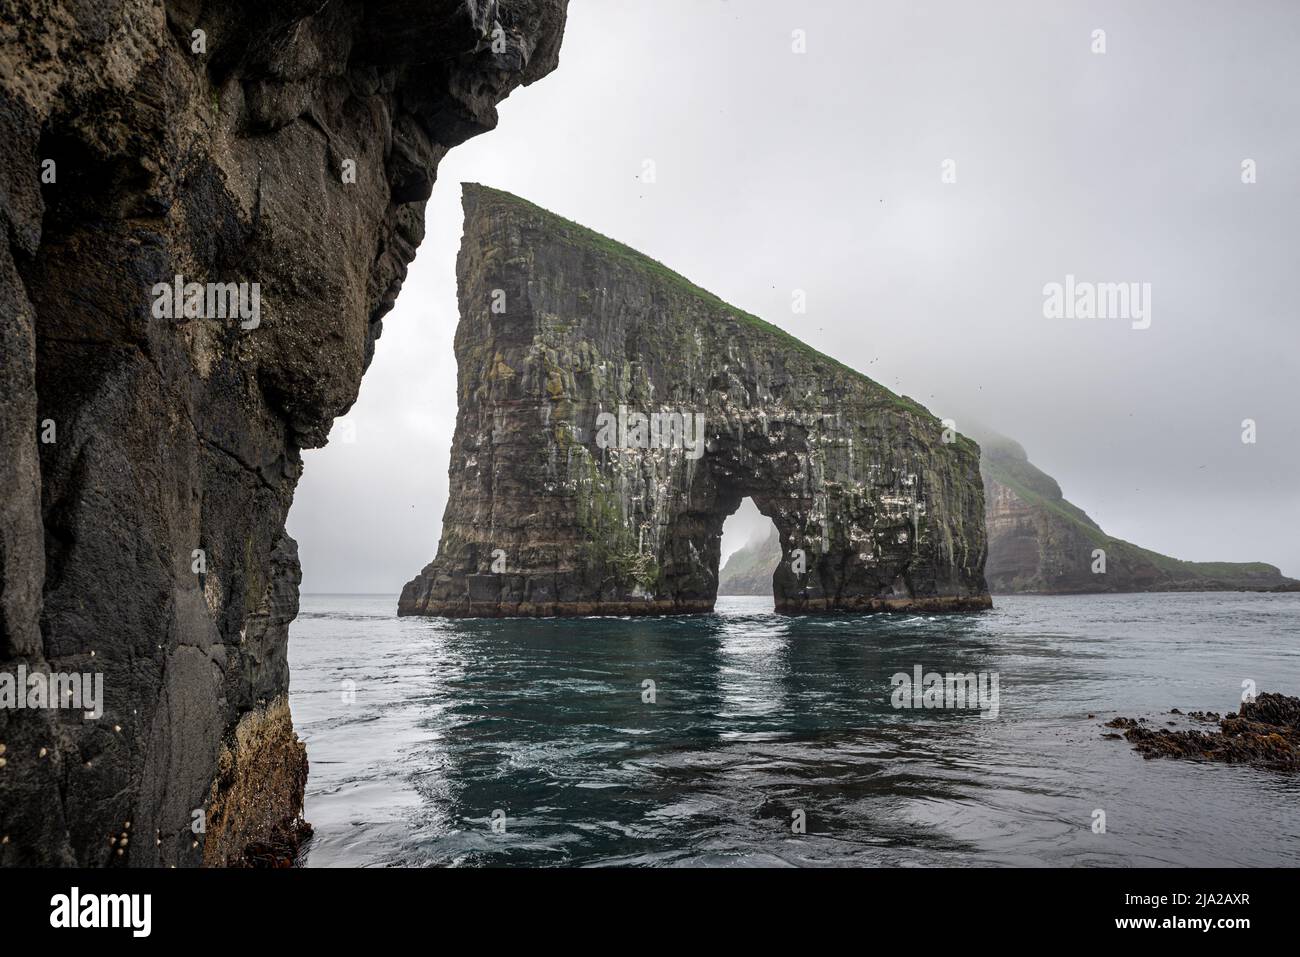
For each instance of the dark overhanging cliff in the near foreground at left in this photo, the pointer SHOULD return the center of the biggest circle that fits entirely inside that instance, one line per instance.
(151, 447)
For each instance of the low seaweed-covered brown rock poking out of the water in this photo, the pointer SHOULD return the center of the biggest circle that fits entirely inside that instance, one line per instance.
(1264, 734)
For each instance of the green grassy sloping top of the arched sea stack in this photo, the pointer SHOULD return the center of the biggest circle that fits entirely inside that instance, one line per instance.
(590, 239)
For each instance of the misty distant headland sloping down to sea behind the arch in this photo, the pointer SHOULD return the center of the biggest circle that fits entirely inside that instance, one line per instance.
(1041, 543)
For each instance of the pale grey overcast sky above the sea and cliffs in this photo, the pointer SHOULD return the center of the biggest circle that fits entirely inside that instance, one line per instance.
(822, 171)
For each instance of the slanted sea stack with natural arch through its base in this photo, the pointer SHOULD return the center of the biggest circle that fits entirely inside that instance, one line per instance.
(565, 503)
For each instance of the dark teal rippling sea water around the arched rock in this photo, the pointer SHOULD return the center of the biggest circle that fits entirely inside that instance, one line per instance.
(422, 733)
